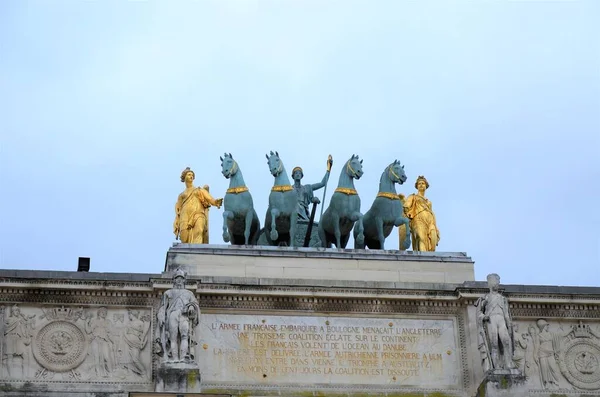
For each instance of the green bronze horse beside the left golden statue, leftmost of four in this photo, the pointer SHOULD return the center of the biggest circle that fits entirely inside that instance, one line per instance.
(240, 222)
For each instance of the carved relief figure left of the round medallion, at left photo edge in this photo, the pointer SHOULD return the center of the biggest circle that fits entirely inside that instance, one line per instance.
(18, 332)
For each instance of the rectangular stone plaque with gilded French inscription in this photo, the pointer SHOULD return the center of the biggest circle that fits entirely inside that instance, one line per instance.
(329, 350)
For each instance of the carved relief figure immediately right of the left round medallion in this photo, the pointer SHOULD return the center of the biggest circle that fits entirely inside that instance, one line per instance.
(102, 346)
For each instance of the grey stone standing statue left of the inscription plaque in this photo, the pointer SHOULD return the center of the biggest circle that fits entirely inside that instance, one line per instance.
(178, 316)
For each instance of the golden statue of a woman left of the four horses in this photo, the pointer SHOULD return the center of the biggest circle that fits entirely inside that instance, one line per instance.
(191, 211)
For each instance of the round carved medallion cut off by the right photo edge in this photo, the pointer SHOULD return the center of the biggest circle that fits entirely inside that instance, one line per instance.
(579, 359)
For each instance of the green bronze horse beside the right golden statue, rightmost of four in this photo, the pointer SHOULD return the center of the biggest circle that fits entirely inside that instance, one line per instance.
(386, 211)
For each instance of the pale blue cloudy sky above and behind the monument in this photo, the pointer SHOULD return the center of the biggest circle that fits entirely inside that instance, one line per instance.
(102, 104)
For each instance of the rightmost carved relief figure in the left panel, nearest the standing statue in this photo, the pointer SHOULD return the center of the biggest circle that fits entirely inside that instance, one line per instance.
(136, 338)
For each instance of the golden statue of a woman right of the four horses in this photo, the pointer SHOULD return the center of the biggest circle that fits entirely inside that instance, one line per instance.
(423, 227)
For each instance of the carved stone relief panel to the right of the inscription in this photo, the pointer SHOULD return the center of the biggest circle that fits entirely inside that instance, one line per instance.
(558, 355)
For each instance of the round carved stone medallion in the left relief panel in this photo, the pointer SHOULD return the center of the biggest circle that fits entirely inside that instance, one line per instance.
(60, 346)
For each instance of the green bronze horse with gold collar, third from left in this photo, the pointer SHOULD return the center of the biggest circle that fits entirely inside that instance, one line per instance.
(344, 209)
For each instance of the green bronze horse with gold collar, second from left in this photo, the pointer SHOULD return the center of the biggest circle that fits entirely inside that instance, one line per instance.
(282, 214)
